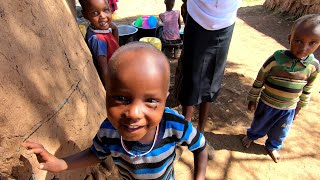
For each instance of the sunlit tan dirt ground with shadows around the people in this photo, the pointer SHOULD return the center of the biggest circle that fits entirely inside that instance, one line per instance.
(258, 33)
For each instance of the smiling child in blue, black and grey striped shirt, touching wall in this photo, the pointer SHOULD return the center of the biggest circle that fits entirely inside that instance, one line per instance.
(140, 133)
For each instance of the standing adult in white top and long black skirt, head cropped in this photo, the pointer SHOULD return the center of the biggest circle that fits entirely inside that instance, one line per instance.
(207, 35)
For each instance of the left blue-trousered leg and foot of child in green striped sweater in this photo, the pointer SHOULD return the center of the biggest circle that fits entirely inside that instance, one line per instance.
(262, 122)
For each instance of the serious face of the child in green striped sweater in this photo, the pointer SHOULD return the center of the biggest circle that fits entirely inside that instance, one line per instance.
(304, 41)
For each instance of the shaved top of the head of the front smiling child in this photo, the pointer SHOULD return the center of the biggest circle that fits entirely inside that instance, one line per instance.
(139, 58)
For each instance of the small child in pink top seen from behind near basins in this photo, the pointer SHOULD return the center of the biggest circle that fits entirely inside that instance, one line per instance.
(171, 24)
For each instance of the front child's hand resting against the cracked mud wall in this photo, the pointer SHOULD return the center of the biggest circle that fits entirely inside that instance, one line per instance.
(47, 161)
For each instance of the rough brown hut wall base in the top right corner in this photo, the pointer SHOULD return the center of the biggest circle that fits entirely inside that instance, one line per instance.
(294, 7)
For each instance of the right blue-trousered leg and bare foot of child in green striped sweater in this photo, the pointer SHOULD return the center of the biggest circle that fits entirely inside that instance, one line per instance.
(278, 133)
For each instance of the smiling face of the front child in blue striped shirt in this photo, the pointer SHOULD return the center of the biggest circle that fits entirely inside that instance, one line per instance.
(136, 97)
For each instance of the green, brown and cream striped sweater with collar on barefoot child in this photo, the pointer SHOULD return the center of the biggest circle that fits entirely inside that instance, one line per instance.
(285, 82)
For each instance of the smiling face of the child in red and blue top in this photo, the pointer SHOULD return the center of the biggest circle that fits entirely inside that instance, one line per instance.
(99, 14)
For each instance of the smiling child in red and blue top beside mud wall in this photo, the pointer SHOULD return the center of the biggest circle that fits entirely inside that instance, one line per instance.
(102, 35)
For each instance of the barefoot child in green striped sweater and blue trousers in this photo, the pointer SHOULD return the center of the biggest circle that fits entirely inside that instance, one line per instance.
(287, 77)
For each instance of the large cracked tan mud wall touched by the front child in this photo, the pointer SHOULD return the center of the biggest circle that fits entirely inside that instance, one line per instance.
(49, 89)
